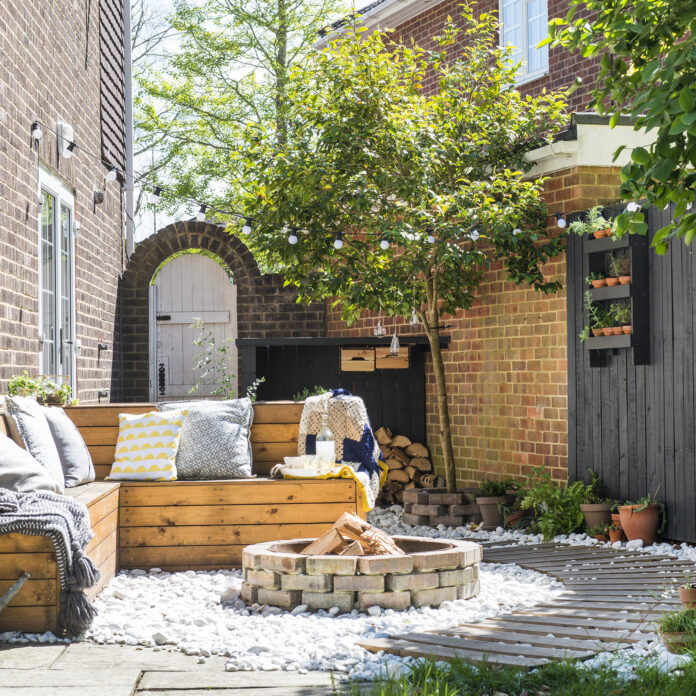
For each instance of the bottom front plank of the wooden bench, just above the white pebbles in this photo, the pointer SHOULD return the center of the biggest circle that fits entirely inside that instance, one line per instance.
(191, 557)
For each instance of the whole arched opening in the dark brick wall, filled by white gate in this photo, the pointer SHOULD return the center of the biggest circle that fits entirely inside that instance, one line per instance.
(193, 327)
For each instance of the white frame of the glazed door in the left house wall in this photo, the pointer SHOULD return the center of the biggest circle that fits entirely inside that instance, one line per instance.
(63, 196)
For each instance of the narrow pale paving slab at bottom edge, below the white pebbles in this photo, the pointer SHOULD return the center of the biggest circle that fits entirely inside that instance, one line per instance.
(180, 681)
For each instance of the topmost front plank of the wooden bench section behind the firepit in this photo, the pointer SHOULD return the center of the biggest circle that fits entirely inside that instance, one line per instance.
(246, 491)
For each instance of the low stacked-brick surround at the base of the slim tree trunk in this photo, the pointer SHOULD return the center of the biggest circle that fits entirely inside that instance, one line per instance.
(434, 506)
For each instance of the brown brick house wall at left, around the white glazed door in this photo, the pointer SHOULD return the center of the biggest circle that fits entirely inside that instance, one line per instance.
(50, 70)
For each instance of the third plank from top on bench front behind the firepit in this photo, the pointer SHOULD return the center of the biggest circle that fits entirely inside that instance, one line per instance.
(217, 535)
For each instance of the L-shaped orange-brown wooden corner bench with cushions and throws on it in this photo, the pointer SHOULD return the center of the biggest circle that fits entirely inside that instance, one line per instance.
(177, 525)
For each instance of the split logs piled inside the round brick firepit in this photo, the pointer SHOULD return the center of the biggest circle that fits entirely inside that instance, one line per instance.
(352, 536)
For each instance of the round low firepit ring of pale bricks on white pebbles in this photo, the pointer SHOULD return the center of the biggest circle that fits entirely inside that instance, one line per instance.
(430, 572)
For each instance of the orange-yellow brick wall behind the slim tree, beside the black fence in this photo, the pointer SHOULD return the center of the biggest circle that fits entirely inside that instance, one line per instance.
(506, 365)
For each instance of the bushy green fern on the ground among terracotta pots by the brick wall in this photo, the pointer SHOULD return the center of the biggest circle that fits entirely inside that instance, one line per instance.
(556, 507)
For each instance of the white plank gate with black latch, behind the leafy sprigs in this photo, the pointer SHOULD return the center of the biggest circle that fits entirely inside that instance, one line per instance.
(190, 286)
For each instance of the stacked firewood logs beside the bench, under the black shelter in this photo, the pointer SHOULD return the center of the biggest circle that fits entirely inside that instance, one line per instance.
(409, 466)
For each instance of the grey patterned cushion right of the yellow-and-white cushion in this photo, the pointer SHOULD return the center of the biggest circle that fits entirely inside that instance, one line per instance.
(215, 439)
